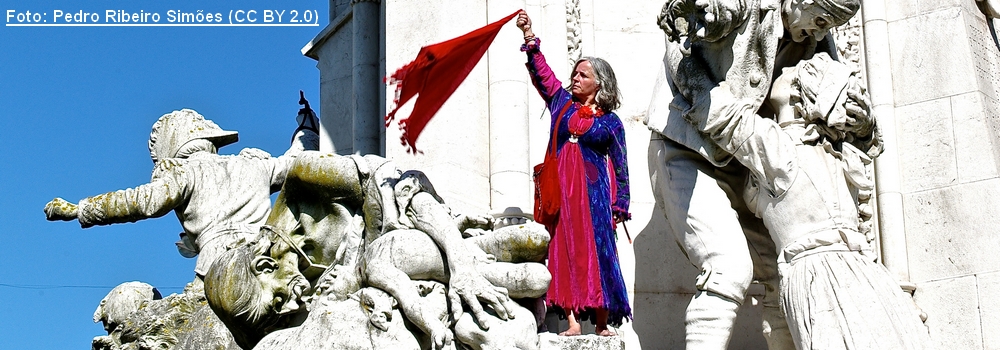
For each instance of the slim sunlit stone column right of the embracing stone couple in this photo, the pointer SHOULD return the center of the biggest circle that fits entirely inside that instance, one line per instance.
(889, 196)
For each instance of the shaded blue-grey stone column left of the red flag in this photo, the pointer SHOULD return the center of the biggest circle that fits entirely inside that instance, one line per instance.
(366, 23)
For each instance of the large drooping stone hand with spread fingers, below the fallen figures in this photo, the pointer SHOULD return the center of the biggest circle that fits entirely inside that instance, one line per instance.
(472, 289)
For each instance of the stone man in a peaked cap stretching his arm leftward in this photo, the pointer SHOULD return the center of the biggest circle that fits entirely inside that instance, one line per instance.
(218, 199)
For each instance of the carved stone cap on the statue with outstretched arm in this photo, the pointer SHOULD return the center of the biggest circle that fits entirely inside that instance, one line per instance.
(175, 129)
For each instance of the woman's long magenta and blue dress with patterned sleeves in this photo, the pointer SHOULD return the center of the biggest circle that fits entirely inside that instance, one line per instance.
(593, 175)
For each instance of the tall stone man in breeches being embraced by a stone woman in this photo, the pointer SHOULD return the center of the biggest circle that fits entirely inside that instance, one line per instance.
(741, 43)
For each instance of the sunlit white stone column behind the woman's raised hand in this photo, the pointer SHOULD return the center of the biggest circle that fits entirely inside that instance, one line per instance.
(510, 177)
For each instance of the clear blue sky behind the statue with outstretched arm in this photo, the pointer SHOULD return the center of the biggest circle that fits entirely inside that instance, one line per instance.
(77, 105)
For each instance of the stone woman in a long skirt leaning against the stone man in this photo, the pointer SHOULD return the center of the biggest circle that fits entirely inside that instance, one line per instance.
(807, 168)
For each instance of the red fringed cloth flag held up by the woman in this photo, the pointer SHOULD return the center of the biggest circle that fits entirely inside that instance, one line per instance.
(435, 74)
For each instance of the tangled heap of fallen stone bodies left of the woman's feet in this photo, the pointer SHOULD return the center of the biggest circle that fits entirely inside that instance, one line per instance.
(347, 223)
